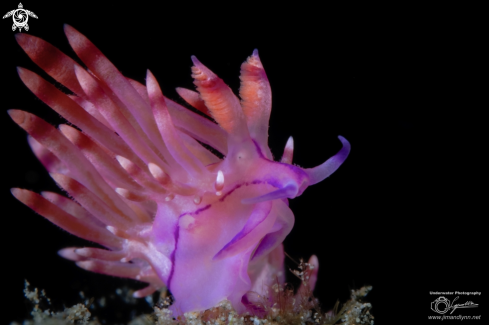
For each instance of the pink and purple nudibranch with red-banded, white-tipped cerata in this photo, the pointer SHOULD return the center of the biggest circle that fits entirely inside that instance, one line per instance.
(168, 211)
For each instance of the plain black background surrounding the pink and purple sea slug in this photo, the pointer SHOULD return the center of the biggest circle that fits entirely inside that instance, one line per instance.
(404, 213)
